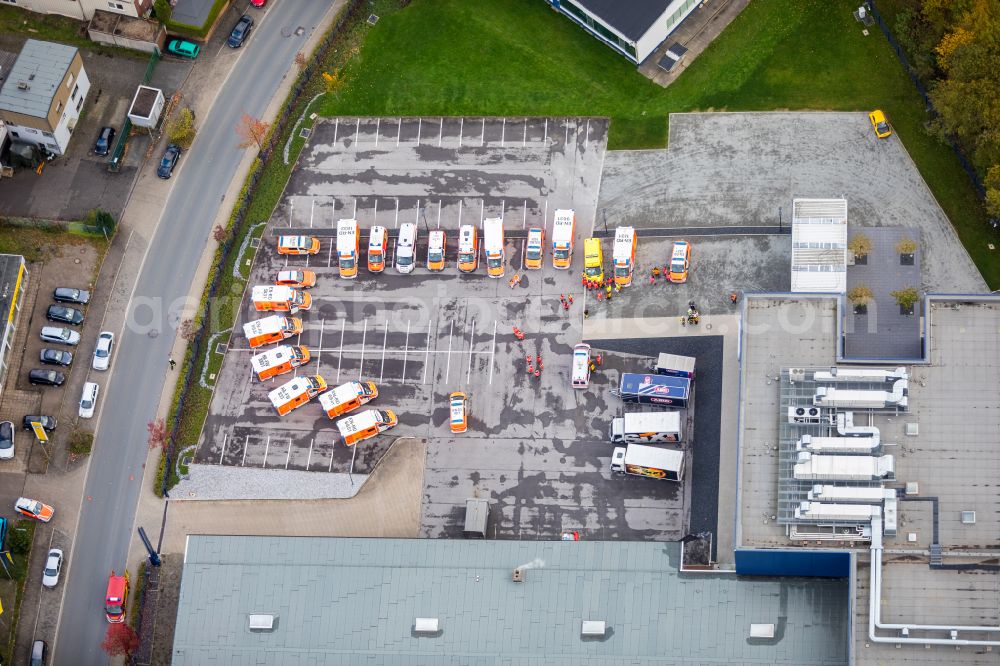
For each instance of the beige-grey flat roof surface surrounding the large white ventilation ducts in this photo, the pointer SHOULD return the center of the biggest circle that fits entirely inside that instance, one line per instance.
(953, 458)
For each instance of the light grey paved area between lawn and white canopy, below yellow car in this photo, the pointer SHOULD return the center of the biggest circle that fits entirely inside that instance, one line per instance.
(735, 169)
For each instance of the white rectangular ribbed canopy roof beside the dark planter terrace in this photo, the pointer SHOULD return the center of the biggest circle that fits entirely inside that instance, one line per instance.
(819, 245)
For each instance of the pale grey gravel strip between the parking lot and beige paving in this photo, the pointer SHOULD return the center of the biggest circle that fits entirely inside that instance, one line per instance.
(224, 482)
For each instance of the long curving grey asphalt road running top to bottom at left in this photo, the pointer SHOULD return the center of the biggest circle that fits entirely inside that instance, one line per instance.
(130, 401)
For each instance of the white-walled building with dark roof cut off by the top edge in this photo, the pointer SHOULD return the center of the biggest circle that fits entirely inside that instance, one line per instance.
(634, 28)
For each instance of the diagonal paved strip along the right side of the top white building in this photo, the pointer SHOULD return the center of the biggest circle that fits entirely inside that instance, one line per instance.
(695, 33)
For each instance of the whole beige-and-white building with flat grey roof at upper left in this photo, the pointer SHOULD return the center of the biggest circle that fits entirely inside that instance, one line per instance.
(43, 93)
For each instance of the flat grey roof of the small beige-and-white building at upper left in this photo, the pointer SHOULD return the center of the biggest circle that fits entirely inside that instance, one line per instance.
(35, 76)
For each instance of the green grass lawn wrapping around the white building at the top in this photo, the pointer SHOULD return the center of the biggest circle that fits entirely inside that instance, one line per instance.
(518, 57)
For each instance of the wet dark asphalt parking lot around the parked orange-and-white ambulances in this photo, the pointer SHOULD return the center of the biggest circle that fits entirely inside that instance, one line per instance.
(536, 447)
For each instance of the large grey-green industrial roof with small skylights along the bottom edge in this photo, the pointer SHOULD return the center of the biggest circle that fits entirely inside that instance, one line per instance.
(353, 601)
